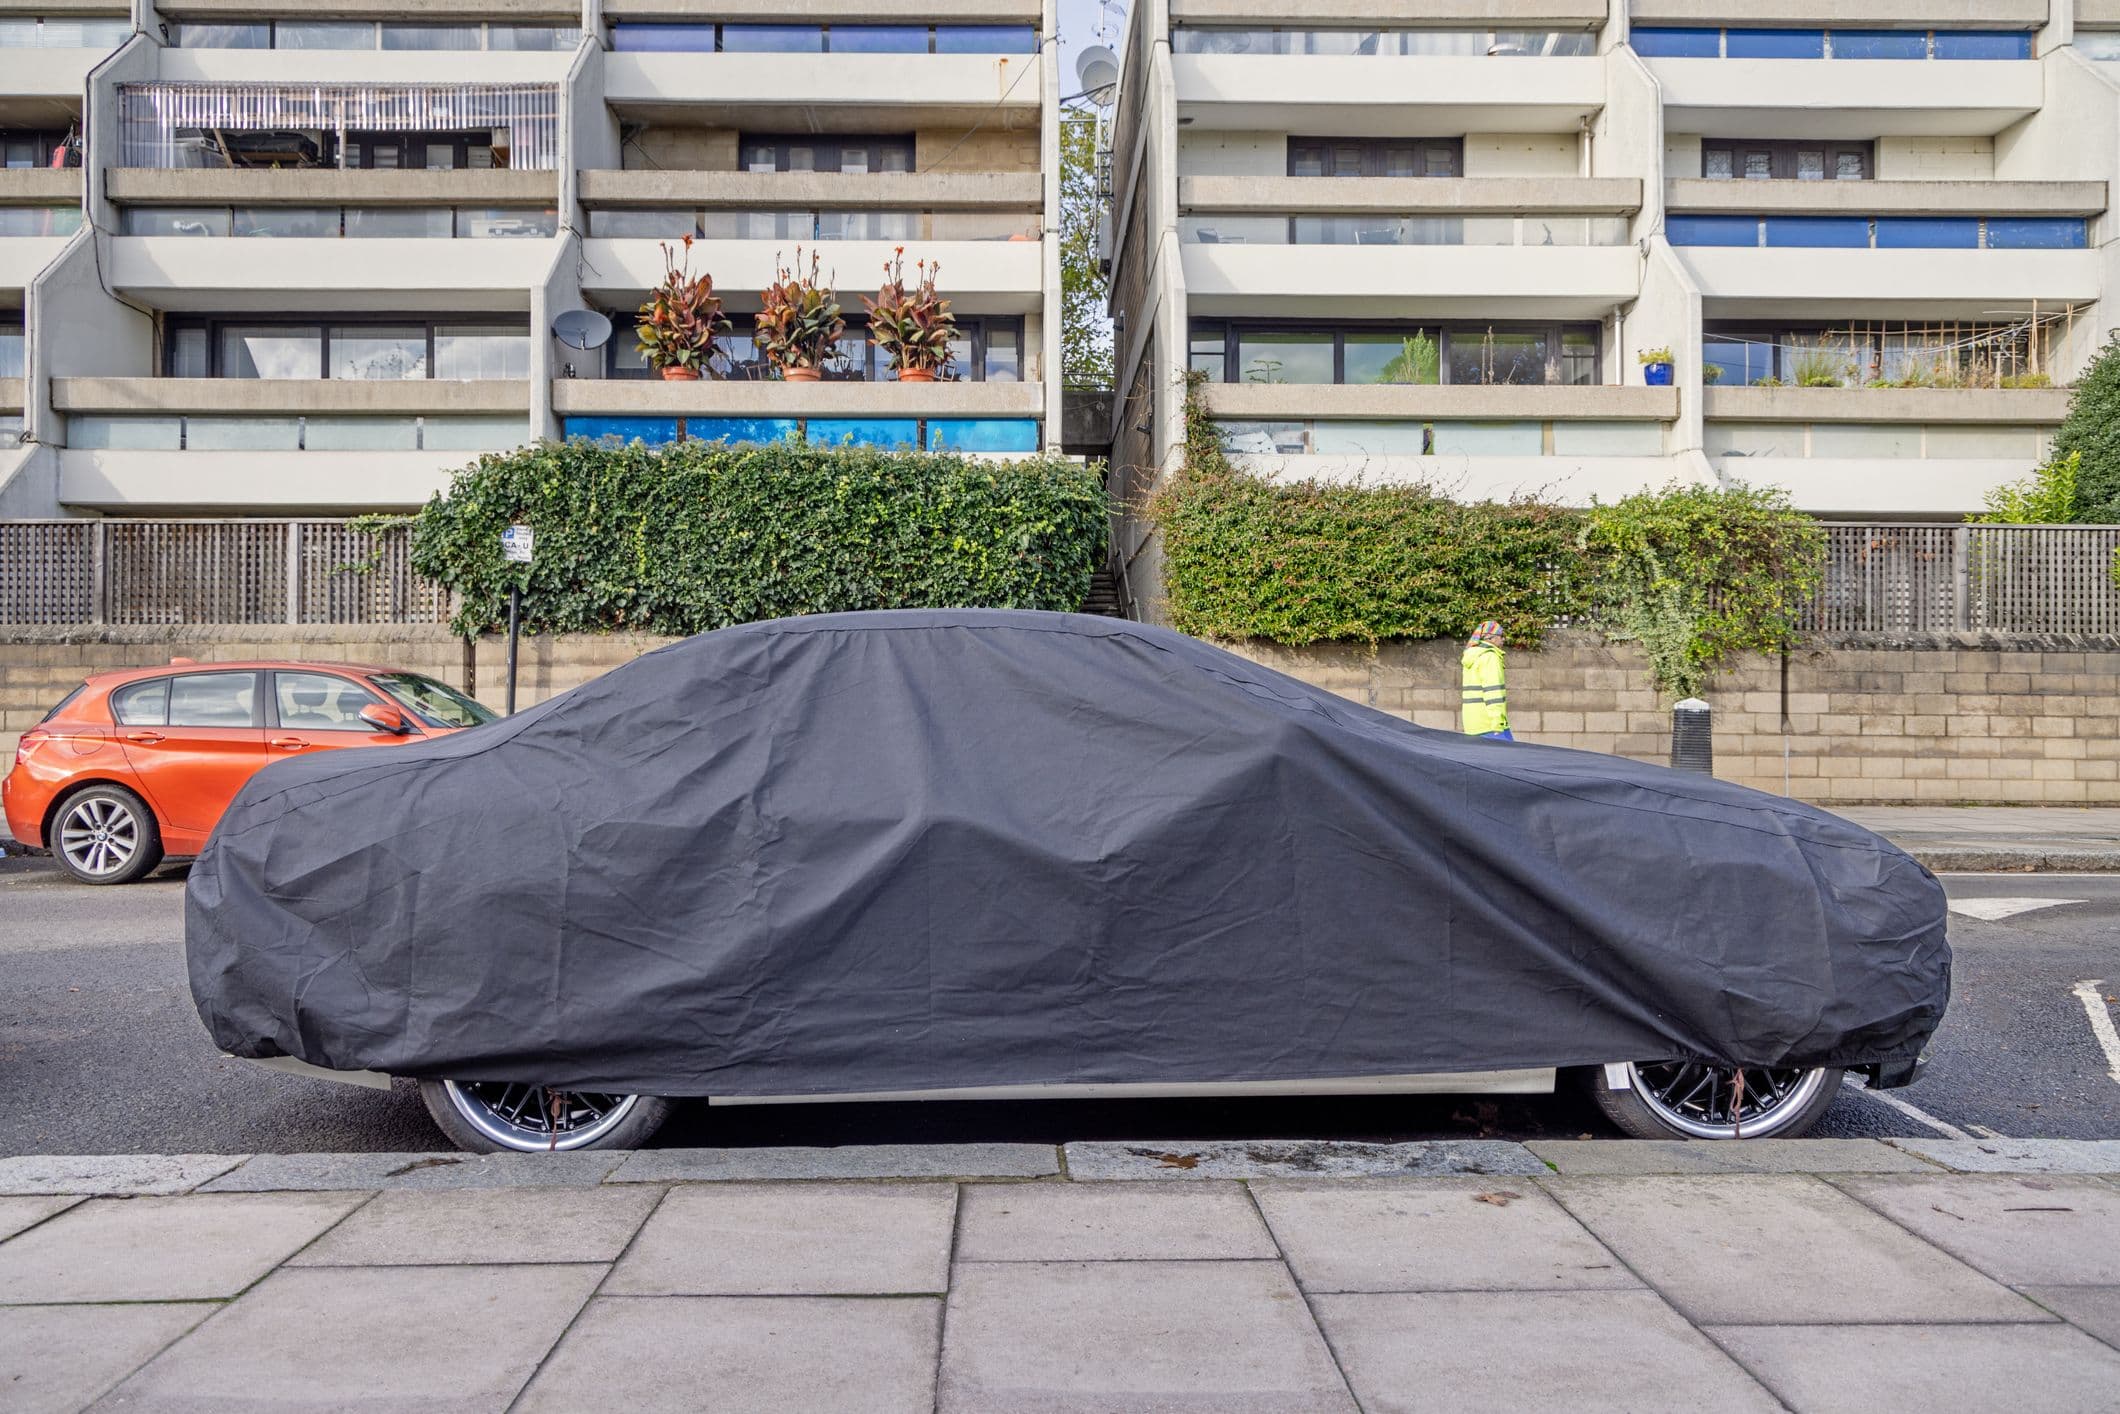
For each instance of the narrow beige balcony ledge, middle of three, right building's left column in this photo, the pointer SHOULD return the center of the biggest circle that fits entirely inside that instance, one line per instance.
(1438, 196)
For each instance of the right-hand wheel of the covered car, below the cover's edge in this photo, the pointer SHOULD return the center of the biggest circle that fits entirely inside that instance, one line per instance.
(1684, 1099)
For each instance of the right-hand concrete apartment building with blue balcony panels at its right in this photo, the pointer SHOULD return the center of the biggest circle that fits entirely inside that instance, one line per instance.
(1432, 241)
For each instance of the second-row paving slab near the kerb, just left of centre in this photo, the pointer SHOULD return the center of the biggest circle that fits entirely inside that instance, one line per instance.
(813, 1239)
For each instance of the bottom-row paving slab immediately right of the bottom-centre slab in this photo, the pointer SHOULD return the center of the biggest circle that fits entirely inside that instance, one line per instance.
(1580, 1351)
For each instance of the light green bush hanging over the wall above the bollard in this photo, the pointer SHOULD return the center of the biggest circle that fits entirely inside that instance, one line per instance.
(1699, 573)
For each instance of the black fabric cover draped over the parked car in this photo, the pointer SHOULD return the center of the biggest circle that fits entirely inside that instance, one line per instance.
(908, 851)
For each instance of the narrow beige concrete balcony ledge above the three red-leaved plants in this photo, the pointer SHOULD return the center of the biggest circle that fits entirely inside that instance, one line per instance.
(813, 190)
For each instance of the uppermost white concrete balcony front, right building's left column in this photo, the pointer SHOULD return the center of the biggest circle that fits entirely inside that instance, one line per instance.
(1388, 96)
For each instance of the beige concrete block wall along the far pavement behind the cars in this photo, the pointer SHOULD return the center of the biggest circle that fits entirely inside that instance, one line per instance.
(1871, 722)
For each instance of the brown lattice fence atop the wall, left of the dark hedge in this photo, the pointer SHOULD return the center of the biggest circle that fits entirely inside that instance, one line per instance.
(211, 571)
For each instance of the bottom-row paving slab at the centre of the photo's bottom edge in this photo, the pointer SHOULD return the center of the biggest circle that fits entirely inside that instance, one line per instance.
(1229, 1337)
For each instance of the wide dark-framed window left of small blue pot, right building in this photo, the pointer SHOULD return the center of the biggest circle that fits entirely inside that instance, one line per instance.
(1500, 353)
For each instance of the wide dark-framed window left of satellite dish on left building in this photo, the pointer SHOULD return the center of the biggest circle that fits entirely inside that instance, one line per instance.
(353, 349)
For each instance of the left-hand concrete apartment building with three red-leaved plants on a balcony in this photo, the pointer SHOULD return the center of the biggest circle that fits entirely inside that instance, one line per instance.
(266, 260)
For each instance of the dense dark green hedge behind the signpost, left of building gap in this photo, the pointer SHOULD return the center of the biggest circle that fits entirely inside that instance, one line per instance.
(705, 535)
